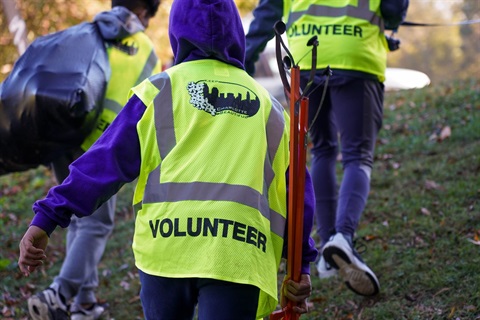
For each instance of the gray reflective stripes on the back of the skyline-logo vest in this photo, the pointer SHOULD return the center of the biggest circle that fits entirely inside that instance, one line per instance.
(156, 192)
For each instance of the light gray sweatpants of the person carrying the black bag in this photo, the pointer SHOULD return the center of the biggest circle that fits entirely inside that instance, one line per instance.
(86, 241)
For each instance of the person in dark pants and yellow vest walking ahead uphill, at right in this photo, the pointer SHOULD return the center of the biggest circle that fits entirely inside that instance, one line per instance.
(352, 42)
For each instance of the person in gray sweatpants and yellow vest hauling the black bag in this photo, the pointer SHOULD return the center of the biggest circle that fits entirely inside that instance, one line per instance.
(132, 59)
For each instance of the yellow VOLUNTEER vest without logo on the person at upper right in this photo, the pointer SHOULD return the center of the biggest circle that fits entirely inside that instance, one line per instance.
(350, 34)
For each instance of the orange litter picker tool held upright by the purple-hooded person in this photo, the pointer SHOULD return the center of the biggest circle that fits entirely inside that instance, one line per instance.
(297, 167)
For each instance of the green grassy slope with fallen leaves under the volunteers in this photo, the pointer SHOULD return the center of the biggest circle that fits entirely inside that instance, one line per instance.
(423, 209)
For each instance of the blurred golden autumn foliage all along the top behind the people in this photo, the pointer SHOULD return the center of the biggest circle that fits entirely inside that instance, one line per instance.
(444, 53)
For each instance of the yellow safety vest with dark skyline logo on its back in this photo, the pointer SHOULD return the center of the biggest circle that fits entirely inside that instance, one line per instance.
(211, 194)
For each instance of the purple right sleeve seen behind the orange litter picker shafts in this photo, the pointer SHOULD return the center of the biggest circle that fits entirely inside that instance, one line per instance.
(309, 252)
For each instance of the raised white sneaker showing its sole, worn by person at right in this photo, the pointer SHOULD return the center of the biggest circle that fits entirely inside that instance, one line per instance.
(358, 277)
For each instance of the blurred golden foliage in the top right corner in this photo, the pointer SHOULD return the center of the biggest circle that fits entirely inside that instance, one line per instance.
(443, 52)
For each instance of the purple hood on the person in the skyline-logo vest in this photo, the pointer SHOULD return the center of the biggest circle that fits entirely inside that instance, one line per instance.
(207, 29)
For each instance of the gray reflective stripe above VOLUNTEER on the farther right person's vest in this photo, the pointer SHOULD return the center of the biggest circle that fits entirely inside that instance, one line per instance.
(362, 11)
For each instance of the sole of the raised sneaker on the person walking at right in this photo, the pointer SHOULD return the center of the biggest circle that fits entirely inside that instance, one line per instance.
(356, 279)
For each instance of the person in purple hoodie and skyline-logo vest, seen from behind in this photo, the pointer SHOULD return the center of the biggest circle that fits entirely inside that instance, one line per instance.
(210, 149)
